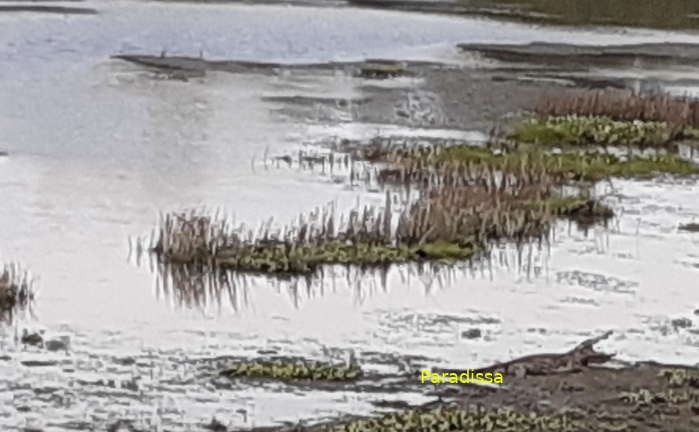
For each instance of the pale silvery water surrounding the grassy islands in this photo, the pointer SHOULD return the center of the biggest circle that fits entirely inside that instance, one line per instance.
(97, 149)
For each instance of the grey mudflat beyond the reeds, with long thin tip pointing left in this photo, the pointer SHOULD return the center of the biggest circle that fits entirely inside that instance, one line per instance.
(433, 95)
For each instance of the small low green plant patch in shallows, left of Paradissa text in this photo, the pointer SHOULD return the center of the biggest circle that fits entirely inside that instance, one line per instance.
(300, 370)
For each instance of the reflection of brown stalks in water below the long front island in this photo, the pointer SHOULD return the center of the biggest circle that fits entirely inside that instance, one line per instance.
(201, 286)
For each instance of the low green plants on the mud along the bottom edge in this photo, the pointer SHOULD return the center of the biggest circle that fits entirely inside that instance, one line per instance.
(457, 419)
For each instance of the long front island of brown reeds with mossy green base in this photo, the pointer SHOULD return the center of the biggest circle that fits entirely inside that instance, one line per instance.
(454, 223)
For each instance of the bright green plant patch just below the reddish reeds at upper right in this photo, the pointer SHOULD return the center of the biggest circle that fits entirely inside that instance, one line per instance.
(585, 130)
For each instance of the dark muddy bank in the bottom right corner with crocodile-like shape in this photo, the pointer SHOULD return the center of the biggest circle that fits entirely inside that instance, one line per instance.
(571, 391)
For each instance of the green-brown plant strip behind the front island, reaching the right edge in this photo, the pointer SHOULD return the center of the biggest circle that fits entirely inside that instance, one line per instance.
(521, 167)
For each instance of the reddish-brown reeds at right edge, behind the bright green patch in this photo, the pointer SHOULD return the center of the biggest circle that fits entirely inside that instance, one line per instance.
(622, 106)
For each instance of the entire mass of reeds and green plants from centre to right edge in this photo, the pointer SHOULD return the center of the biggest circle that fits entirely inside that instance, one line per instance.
(467, 196)
